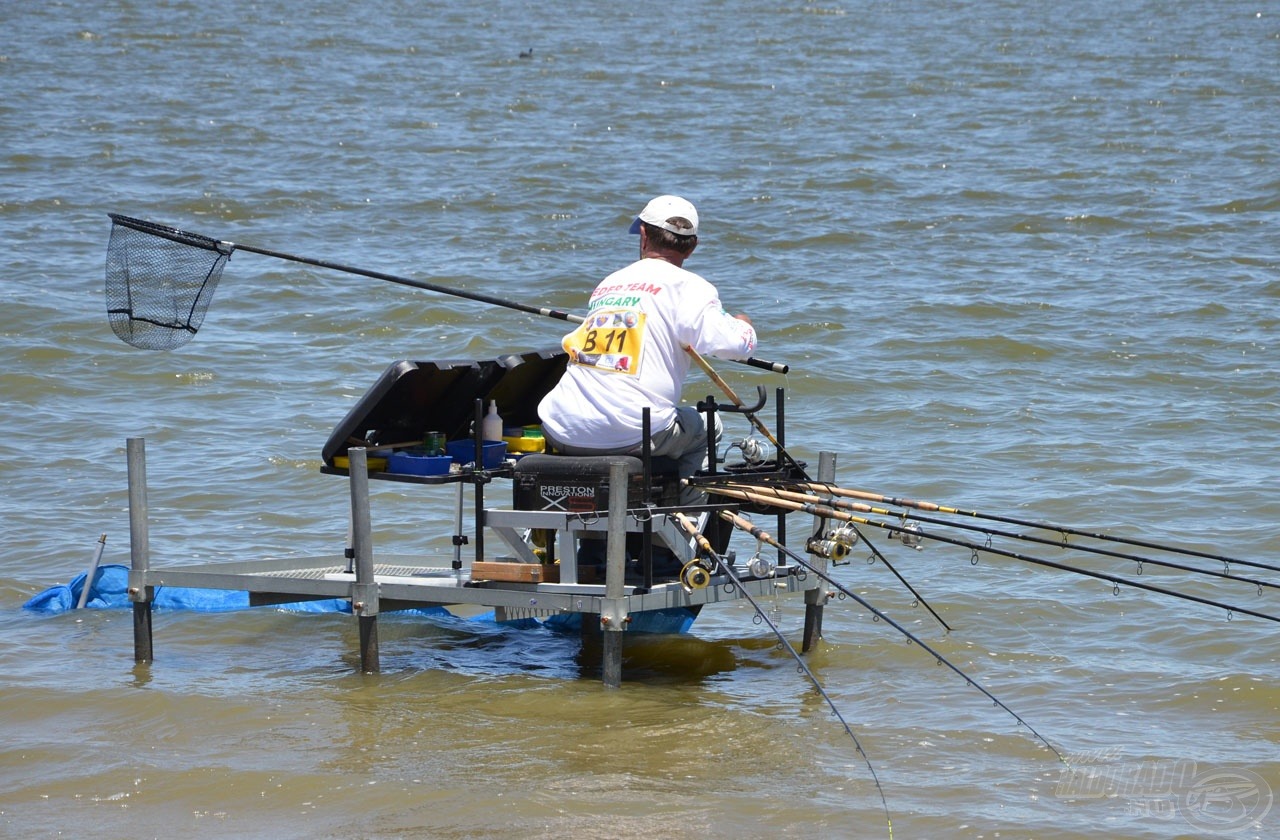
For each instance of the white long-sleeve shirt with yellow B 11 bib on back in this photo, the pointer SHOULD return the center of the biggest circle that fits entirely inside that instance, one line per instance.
(630, 354)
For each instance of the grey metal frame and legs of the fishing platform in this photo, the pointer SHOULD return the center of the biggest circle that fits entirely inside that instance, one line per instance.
(403, 582)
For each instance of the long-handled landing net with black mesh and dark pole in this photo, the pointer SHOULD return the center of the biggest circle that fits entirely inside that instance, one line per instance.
(161, 282)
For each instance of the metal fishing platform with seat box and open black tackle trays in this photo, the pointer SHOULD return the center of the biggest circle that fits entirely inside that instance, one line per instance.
(602, 542)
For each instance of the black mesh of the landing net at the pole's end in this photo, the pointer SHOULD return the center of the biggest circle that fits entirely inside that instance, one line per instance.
(161, 282)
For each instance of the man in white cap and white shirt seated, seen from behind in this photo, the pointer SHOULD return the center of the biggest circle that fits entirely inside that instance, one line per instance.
(630, 351)
